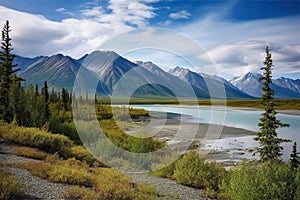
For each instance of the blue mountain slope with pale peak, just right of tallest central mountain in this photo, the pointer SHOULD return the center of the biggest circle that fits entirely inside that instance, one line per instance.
(217, 87)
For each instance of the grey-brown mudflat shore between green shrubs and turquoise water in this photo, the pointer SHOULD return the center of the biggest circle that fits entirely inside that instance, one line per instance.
(184, 135)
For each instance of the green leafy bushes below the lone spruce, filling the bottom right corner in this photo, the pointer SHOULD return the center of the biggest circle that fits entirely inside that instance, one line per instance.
(253, 180)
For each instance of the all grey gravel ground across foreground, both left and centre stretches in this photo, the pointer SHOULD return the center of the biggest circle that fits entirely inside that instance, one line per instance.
(39, 188)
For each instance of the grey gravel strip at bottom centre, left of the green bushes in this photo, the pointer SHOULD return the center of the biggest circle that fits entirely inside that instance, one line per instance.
(169, 187)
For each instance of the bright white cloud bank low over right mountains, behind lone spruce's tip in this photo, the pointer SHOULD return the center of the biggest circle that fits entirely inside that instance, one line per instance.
(242, 57)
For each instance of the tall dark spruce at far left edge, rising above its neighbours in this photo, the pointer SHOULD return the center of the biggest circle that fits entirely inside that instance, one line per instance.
(6, 72)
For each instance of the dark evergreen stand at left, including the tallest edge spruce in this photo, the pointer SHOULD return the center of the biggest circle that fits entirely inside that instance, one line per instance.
(33, 107)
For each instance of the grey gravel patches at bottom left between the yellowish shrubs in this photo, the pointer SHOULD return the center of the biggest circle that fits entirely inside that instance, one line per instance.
(37, 188)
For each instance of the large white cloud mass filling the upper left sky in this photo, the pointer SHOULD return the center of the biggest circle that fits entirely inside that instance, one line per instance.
(35, 35)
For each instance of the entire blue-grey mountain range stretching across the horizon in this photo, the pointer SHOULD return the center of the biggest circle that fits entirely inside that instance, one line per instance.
(118, 76)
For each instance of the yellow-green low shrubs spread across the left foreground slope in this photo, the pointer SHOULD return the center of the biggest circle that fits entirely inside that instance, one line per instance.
(89, 181)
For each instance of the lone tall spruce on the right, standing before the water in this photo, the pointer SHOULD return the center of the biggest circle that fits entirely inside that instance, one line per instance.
(270, 144)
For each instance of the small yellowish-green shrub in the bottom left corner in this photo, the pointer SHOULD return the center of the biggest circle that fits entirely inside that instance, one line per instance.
(10, 188)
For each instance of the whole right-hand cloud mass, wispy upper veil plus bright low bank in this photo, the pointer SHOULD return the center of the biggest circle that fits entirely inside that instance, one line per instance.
(238, 47)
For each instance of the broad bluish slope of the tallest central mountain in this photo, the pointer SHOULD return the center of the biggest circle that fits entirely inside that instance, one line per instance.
(125, 78)
